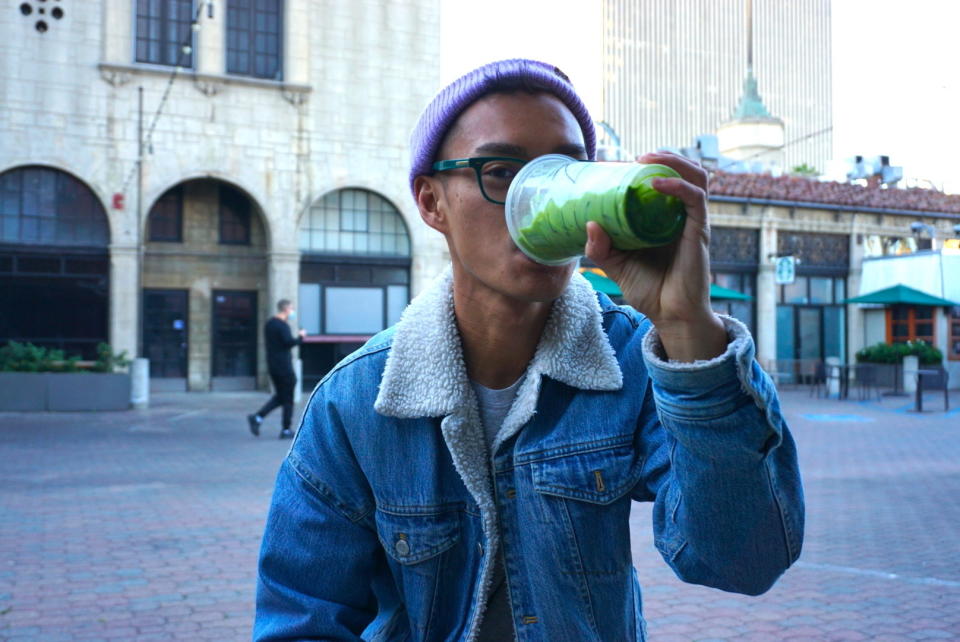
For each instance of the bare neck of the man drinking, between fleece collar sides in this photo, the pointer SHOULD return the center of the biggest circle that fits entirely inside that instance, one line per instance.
(499, 334)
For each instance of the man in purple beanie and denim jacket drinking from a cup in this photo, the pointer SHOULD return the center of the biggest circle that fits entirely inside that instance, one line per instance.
(468, 474)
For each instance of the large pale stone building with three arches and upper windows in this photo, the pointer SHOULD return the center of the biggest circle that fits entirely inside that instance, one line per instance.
(273, 145)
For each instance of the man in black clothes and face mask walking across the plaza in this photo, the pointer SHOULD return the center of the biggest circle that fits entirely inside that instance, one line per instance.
(279, 341)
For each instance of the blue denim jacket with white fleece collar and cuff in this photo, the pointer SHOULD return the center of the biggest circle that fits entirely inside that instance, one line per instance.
(389, 510)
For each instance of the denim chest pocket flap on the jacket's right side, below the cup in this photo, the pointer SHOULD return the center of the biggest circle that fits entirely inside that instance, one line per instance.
(596, 476)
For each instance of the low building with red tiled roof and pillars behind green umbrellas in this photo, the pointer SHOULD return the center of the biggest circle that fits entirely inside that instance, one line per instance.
(831, 228)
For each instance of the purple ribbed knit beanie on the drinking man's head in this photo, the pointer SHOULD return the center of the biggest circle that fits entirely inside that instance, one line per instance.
(504, 75)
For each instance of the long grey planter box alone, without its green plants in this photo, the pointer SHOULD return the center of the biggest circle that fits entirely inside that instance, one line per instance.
(64, 391)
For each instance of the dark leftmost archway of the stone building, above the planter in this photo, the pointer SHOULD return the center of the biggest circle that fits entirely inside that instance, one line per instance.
(54, 261)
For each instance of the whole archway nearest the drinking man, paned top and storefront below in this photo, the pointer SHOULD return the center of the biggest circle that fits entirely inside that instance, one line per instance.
(354, 275)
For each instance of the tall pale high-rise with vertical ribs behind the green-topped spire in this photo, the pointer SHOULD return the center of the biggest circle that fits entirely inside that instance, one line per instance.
(675, 69)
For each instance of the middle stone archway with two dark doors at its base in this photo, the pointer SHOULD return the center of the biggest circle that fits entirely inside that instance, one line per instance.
(205, 281)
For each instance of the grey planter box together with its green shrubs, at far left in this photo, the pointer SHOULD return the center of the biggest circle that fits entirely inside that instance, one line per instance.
(37, 378)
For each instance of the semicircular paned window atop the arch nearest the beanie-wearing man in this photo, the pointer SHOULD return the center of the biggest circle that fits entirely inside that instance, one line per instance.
(354, 222)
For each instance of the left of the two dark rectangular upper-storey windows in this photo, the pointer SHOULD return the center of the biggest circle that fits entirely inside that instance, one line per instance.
(163, 30)
